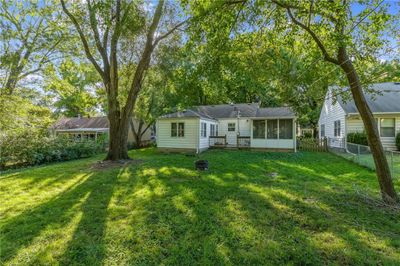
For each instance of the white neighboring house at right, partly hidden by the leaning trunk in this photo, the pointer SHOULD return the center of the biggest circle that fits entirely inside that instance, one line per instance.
(338, 118)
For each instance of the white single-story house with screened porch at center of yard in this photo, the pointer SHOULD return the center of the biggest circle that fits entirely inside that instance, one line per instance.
(227, 125)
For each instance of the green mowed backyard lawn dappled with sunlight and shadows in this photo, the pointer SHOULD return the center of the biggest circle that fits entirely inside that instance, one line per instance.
(318, 209)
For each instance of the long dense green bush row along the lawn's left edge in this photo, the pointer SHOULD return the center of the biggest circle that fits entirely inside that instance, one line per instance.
(32, 148)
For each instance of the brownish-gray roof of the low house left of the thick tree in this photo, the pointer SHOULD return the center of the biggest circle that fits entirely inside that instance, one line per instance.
(84, 122)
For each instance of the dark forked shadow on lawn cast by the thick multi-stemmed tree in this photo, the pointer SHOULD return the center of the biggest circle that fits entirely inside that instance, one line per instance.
(90, 195)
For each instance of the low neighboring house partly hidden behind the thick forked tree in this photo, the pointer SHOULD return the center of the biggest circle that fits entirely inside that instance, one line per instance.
(93, 128)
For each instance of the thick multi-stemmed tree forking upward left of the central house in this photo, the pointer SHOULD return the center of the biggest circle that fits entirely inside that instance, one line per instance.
(108, 31)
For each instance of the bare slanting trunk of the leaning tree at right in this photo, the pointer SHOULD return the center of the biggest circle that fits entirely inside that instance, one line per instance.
(382, 167)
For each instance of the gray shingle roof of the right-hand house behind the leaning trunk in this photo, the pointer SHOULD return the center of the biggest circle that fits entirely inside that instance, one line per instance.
(387, 101)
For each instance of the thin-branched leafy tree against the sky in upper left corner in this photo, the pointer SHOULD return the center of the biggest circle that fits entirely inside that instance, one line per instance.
(30, 37)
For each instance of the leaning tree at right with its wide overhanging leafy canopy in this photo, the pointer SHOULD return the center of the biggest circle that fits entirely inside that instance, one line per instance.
(348, 35)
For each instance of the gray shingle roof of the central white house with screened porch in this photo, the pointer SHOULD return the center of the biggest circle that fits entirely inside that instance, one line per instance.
(231, 111)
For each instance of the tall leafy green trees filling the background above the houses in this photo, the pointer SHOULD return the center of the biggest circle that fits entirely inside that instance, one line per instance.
(142, 58)
